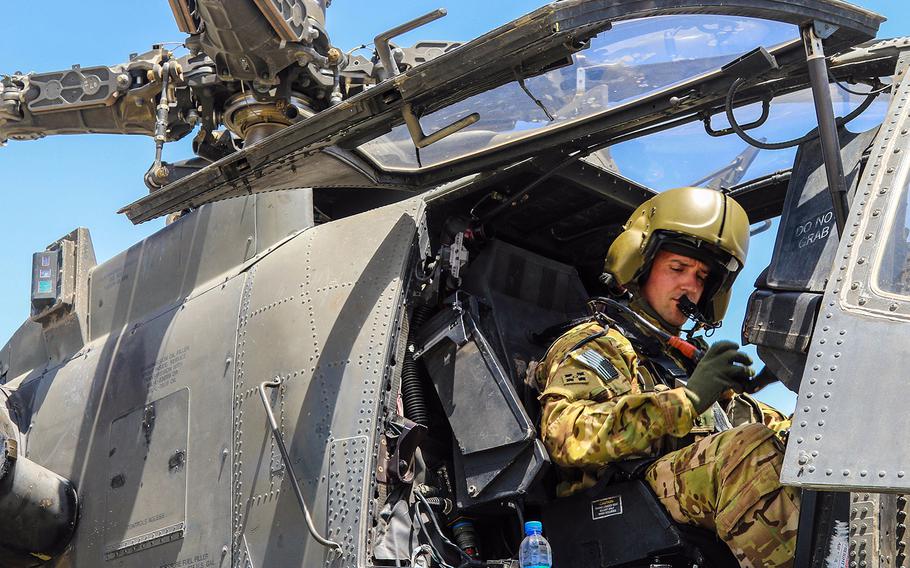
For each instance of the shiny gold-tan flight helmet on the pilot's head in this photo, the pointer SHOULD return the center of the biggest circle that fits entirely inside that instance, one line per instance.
(700, 223)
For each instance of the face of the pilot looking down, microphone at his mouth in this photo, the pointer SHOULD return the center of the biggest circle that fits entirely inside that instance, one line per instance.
(673, 276)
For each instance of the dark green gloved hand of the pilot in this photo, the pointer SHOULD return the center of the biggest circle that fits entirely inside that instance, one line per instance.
(723, 367)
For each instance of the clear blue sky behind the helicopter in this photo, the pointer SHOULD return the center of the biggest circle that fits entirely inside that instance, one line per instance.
(53, 185)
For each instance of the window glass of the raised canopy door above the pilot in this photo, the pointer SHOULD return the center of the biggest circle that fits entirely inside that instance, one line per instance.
(628, 62)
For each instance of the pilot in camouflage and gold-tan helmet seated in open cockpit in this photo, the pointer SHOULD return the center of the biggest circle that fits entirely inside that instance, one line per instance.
(608, 395)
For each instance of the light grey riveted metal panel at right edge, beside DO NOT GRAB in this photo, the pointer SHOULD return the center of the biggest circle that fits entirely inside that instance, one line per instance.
(850, 415)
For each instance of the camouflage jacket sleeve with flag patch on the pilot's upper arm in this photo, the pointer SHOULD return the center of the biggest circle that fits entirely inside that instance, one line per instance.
(594, 413)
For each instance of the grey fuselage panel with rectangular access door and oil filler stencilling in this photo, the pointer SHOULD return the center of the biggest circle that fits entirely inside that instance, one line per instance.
(76, 414)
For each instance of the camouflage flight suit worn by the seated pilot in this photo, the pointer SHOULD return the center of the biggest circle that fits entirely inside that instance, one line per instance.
(601, 404)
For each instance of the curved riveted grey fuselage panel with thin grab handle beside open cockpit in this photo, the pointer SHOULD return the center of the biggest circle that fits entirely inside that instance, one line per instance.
(321, 312)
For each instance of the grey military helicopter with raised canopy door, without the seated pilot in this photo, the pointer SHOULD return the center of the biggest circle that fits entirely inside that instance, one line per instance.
(320, 360)
